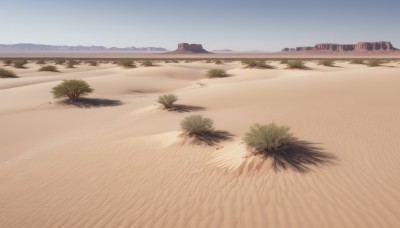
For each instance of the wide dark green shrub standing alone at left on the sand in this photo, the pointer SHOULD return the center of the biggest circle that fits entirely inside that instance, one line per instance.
(73, 89)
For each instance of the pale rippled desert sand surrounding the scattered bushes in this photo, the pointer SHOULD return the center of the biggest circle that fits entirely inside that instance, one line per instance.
(123, 163)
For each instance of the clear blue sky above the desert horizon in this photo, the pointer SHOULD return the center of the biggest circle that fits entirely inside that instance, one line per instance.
(240, 25)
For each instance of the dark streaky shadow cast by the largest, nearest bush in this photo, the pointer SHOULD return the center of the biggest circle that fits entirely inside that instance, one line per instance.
(299, 156)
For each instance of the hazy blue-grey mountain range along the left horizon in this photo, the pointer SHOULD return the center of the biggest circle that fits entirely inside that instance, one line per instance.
(43, 47)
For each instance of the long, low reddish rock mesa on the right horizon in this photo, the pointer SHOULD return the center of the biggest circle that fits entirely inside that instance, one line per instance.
(380, 46)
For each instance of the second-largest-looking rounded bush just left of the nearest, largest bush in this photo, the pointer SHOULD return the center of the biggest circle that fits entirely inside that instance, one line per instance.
(196, 125)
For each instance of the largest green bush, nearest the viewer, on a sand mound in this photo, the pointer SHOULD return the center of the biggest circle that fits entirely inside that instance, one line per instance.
(267, 140)
